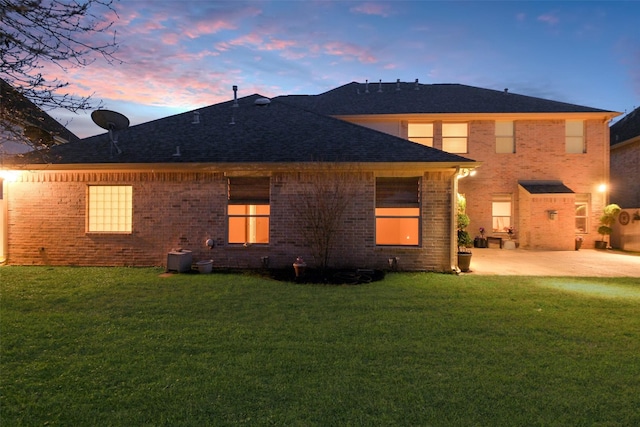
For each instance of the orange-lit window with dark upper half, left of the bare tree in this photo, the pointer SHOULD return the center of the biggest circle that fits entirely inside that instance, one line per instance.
(248, 210)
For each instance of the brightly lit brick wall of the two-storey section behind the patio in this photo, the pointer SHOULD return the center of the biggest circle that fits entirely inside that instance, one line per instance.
(540, 155)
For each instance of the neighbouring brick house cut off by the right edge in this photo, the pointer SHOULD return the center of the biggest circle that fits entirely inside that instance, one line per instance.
(625, 161)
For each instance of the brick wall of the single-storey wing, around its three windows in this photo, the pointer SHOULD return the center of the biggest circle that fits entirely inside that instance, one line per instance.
(47, 222)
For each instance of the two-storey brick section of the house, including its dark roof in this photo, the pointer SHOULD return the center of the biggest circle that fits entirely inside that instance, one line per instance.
(544, 163)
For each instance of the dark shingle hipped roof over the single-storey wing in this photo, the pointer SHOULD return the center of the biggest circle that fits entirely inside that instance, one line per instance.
(277, 132)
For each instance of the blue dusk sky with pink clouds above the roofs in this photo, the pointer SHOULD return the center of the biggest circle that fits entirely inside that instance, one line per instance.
(179, 55)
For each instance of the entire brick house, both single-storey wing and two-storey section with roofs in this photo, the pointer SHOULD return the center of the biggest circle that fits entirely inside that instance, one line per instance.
(238, 175)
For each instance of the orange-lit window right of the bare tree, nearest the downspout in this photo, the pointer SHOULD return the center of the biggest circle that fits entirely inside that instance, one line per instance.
(398, 211)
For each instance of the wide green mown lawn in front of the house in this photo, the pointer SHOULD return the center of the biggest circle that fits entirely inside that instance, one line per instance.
(123, 347)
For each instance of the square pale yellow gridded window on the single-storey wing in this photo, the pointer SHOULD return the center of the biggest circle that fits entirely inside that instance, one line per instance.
(110, 209)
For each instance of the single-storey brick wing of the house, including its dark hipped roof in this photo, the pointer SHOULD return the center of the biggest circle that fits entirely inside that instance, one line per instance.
(235, 182)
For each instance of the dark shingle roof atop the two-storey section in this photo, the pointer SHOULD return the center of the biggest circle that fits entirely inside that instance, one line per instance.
(385, 98)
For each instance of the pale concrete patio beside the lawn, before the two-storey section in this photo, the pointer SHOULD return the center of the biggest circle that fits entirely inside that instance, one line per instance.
(582, 263)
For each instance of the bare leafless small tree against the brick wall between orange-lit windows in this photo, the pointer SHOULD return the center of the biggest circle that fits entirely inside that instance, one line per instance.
(321, 206)
